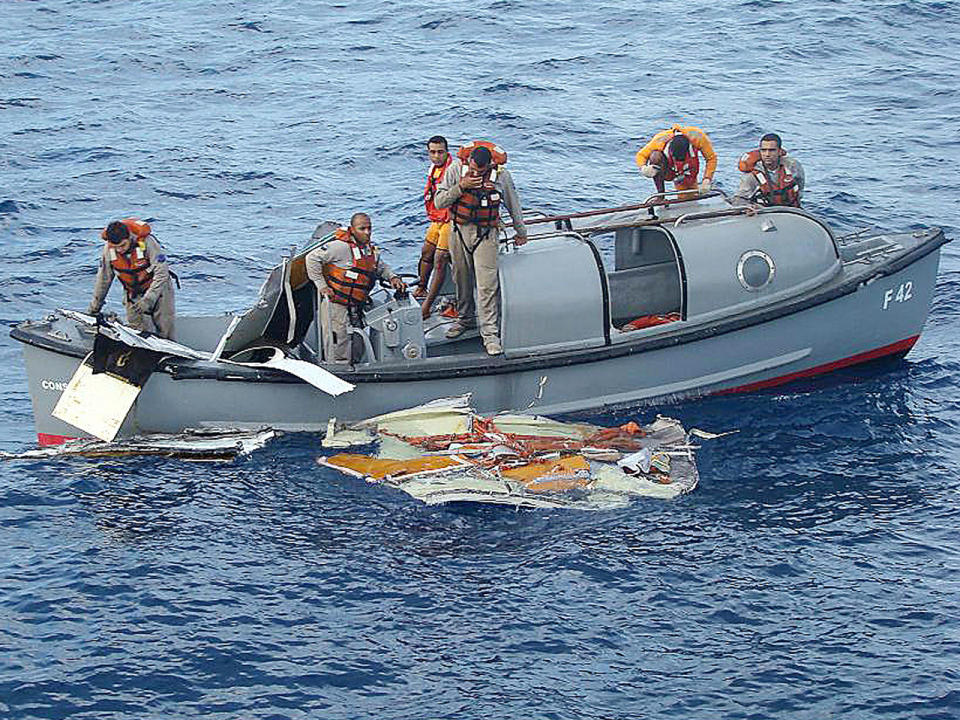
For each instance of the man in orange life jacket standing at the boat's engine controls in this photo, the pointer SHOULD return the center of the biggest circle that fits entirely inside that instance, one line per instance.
(344, 271)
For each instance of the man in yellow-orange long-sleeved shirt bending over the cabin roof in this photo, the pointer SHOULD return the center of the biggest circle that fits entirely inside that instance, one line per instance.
(672, 155)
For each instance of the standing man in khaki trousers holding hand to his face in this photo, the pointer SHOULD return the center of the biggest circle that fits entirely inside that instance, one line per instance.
(474, 187)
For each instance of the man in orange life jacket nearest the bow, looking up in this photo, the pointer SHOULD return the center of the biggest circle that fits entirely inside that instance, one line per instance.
(769, 176)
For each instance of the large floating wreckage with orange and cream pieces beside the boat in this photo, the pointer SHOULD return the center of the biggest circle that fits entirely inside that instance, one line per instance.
(444, 452)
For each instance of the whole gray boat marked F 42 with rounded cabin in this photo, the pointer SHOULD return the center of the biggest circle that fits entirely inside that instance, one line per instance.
(667, 298)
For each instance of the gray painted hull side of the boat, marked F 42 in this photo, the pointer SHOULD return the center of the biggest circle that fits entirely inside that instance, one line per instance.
(882, 317)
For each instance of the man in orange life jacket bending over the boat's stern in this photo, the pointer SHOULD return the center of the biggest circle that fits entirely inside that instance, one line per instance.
(133, 254)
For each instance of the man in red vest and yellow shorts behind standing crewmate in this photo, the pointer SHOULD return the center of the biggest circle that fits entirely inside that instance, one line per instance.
(435, 254)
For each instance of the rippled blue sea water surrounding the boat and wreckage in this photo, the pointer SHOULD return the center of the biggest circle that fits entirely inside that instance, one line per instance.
(814, 573)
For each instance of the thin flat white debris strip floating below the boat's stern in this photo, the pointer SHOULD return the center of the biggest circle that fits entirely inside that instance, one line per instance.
(193, 445)
